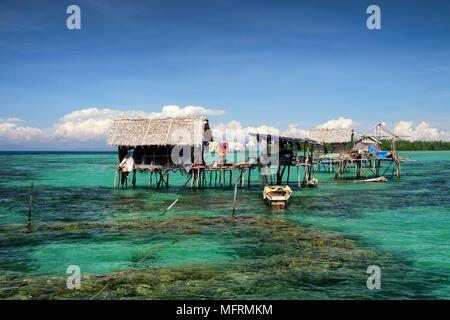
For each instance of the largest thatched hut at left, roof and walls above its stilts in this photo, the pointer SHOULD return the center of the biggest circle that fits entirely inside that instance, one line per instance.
(150, 141)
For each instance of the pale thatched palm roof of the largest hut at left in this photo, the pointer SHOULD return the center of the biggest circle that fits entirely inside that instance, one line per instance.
(134, 132)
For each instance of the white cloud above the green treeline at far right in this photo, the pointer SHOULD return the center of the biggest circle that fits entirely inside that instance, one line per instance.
(422, 131)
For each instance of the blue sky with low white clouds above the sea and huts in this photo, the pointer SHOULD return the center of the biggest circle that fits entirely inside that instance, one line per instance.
(290, 65)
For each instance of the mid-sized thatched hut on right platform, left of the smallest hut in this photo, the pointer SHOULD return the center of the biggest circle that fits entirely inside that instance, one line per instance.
(339, 139)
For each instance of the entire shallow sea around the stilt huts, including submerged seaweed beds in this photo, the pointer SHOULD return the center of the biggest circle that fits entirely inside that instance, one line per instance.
(317, 248)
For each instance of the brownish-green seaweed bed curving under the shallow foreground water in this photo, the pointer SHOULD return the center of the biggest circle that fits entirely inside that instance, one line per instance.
(281, 260)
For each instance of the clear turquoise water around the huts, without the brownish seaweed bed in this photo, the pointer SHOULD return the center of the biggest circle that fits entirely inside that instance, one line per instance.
(404, 222)
